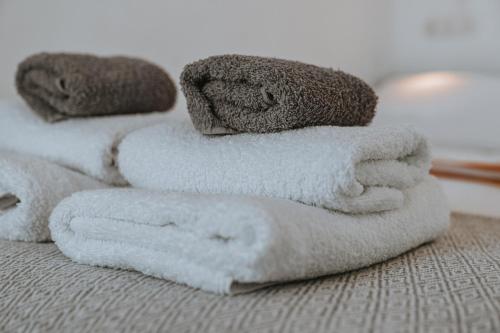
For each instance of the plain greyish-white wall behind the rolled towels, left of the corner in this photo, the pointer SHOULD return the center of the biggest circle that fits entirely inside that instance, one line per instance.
(347, 34)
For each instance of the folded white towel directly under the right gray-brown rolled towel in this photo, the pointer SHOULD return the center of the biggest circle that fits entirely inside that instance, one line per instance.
(351, 169)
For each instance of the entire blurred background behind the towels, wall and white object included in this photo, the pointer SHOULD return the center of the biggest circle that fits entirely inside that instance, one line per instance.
(434, 64)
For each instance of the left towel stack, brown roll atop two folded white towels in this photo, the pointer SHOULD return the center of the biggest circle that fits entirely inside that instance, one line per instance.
(43, 158)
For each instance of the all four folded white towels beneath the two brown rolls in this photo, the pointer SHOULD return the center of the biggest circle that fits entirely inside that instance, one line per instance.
(226, 214)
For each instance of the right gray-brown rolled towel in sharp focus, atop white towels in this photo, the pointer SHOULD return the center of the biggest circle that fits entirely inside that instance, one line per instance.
(235, 93)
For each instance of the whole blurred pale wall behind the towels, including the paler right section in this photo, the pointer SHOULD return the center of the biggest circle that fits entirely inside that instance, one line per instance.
(370, 38)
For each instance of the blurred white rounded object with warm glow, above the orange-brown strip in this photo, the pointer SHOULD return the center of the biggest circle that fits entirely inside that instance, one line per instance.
(456, 110)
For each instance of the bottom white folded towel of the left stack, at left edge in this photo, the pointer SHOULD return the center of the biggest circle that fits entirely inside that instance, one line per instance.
(29, 189)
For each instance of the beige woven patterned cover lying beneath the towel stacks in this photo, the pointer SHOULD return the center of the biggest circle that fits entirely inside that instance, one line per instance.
(450, 285)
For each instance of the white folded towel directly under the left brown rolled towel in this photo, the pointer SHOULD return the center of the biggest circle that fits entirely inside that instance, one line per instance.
(87, 145)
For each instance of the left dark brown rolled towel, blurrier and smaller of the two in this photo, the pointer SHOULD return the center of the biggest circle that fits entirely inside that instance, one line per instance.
(62, 85)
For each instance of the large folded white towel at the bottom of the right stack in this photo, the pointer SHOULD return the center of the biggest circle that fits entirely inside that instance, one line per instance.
(230, 244)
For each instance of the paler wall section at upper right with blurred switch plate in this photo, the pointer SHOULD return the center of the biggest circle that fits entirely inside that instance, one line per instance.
(446, 34)
